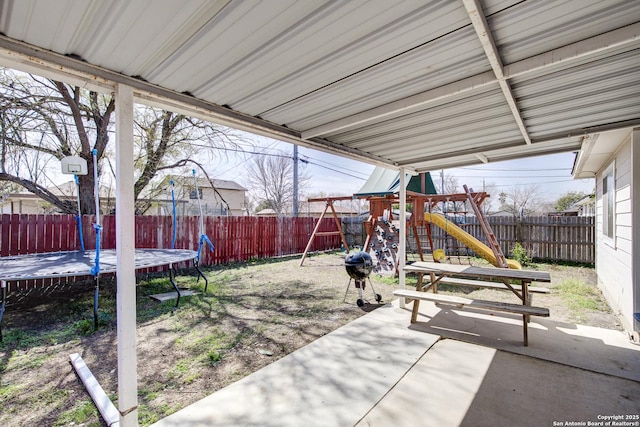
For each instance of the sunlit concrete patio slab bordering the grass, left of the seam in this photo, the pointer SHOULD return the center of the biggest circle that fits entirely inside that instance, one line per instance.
(333, 381)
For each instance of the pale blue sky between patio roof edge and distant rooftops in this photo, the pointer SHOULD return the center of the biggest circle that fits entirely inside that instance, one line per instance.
(335, 175)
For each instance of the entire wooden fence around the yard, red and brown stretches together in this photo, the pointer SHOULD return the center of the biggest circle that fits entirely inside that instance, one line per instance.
(243, 238)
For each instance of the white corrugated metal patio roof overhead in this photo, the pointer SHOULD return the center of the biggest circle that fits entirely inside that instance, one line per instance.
(417, 84)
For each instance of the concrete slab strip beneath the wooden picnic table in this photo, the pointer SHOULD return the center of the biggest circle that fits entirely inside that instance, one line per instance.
(600, 350)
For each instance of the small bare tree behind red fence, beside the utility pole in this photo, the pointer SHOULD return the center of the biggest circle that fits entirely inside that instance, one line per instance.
(270, 180)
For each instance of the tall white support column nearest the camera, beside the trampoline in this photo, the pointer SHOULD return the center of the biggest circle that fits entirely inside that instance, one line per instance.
(125, 252)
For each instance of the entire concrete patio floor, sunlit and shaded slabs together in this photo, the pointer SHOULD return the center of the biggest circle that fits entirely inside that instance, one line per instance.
(380, 370)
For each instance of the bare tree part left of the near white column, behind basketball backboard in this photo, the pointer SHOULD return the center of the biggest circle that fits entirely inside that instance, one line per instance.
(44, 120)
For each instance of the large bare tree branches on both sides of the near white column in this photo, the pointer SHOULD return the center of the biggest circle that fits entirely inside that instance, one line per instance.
(45, 120)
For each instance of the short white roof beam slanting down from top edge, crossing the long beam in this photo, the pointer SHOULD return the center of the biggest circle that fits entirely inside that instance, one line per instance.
(479, 21)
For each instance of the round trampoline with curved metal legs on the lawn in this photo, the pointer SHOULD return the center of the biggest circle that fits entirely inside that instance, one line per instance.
(79, 263)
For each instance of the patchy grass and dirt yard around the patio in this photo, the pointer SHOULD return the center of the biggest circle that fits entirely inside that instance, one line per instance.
(251, 315)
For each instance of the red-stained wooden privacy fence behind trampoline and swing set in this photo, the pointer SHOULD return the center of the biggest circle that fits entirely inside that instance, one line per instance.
(235, 238)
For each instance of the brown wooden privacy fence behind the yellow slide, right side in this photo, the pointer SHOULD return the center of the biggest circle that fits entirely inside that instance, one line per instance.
(545, 238)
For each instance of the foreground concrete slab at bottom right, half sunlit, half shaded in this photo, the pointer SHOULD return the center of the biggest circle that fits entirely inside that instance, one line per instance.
(462, 384)
